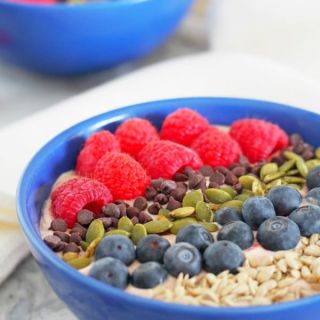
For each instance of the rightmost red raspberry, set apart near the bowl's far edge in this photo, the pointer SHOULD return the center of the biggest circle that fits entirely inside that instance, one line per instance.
(257, 138)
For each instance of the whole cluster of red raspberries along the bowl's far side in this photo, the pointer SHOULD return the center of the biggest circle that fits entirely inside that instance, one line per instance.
(120, 166)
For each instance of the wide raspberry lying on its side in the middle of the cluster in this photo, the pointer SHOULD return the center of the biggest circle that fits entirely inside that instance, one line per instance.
(164, 158)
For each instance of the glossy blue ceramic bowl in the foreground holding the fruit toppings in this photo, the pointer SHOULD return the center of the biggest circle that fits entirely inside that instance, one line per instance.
(90, 299)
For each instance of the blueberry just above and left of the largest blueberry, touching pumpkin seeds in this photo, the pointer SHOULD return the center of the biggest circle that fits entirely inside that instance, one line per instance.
(255, 210)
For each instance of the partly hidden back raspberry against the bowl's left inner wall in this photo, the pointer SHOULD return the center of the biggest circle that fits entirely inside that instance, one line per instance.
(95, 147)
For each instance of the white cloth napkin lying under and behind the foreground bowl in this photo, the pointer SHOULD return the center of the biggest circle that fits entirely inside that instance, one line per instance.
(200, 75)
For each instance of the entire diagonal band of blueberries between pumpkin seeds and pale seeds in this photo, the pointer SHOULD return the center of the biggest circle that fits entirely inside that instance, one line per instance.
(280, 219)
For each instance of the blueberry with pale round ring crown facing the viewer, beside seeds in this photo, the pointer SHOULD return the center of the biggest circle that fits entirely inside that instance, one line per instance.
(183, 258)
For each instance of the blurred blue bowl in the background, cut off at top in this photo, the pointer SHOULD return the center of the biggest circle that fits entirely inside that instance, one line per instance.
(71, 39)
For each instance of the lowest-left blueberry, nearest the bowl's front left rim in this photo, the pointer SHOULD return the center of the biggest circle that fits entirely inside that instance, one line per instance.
(110, 271)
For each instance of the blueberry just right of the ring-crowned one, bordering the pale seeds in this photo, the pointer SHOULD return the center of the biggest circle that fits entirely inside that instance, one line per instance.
(223, 255)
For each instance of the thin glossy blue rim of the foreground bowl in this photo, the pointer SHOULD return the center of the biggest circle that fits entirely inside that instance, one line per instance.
(88, 282)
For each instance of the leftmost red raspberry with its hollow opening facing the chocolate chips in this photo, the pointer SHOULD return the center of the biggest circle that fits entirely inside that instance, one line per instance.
(76, 194)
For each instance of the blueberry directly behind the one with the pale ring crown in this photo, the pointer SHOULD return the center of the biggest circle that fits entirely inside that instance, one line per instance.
(196, 235)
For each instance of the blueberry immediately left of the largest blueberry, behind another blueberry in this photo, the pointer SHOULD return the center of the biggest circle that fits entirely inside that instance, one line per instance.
(238, 232)
